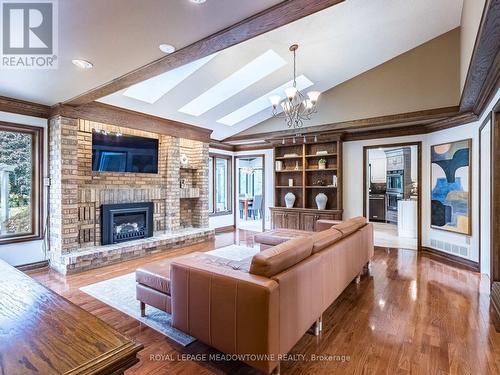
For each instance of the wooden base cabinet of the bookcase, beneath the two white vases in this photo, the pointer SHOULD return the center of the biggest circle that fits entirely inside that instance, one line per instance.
(304, 219)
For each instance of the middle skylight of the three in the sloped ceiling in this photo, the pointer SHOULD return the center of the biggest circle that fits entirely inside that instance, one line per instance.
(251, 73)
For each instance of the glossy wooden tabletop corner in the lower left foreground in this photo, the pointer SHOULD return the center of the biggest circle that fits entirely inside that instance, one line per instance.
(43, 333)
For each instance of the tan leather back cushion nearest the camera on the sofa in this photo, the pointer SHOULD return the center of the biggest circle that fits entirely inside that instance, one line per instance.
(280, 257)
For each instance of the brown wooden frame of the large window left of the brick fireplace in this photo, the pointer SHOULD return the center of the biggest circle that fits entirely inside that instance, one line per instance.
(37, 198)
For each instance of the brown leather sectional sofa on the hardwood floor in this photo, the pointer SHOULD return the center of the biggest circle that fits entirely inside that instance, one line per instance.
(260, 307)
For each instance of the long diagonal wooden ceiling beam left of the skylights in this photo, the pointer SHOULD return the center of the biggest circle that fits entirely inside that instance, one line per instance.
(279, 15)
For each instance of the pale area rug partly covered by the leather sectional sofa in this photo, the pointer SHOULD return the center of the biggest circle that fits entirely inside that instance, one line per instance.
(119, 292)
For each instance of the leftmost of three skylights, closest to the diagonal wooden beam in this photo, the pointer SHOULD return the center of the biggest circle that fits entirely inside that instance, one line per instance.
(153, 89)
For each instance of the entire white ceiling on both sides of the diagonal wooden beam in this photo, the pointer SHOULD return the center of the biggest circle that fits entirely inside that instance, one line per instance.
(226, 92)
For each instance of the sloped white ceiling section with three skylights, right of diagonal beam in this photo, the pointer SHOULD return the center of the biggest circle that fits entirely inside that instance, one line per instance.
(336, 45)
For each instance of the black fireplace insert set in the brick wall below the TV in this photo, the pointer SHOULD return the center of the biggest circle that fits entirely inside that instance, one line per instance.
(126, 222)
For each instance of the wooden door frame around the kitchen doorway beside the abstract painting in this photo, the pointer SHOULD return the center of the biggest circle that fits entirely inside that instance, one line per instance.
(418, 144)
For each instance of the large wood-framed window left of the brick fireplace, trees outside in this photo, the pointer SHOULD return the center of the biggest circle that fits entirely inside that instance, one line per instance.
(20, 182)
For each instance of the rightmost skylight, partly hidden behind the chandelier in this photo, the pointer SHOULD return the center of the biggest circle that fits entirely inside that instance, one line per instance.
(262, 103)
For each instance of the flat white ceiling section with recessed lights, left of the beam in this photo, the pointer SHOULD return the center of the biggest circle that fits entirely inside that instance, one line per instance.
(118, 36)
